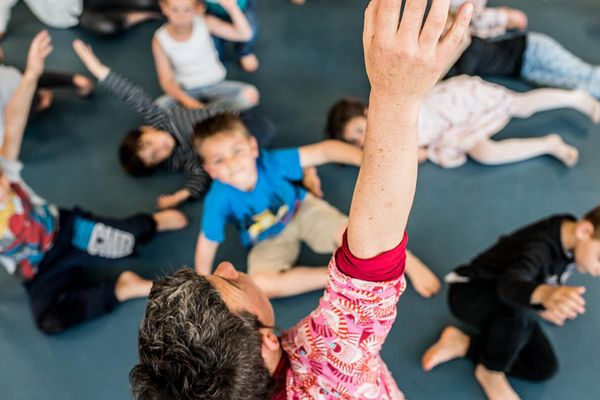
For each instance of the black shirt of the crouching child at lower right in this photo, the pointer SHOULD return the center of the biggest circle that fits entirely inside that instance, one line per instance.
(523, 260)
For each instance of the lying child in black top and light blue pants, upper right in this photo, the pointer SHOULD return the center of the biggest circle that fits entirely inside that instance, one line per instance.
(532, 56)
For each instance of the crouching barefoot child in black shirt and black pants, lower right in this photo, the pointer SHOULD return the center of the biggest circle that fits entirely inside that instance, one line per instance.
(498, 294)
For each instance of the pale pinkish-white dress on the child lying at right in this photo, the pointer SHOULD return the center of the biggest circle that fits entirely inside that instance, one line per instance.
(460, 112)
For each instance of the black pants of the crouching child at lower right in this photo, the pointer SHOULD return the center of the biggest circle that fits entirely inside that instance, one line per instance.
(507, 339)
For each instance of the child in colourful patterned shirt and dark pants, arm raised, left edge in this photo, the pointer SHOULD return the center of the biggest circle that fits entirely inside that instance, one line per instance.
(49, 247)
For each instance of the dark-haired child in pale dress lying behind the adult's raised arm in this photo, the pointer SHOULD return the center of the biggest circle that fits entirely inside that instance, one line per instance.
(461, 115)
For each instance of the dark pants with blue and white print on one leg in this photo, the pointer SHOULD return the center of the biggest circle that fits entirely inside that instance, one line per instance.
(59, 296)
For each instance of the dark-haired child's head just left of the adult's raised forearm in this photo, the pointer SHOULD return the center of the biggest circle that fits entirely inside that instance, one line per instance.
(347, 121)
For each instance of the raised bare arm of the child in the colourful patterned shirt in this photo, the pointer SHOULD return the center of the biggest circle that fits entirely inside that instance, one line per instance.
(17, 109)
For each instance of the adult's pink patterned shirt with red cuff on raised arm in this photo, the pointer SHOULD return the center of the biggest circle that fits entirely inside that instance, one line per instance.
(334, 352)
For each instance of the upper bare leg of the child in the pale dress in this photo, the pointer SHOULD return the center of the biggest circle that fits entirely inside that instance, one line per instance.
(538, 100)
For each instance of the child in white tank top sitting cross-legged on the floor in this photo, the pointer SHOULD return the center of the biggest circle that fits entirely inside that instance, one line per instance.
(187, 62)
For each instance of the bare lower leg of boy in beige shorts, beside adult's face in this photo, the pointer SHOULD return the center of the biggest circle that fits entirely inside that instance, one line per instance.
(292, 282)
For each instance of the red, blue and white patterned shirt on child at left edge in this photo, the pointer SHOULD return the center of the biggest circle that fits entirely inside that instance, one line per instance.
(28, 224)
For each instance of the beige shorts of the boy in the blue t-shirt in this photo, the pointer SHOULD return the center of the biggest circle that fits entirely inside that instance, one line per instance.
(316, 223)
